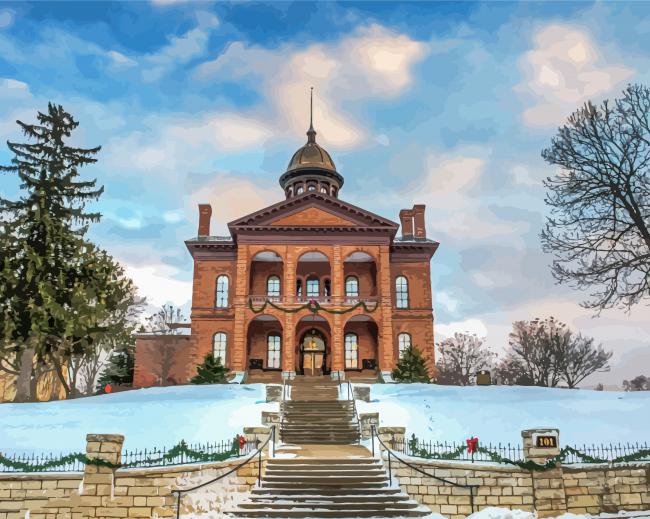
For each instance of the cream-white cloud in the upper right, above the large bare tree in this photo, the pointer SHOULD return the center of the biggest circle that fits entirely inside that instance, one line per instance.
(565, 68)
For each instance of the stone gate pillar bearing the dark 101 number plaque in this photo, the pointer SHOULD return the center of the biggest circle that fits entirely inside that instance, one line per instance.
(548, 485)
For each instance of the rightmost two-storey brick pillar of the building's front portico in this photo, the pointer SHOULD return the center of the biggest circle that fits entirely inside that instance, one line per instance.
(385, 347)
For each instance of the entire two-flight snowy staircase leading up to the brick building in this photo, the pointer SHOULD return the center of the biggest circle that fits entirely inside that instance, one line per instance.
(321, 472)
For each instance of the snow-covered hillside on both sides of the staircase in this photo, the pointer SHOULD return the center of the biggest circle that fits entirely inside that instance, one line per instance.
(160, 417)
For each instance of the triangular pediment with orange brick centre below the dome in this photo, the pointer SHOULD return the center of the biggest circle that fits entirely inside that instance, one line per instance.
(313, 210)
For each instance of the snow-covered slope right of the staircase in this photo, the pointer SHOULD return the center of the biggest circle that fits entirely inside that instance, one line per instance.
(499, 413)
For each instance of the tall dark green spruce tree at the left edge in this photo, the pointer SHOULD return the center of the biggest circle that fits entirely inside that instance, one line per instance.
(57, 291)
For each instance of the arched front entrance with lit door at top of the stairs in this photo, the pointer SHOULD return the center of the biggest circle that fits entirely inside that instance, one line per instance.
(313, 347)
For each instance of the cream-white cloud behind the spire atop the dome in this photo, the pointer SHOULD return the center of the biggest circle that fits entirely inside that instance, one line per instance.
(372, 62)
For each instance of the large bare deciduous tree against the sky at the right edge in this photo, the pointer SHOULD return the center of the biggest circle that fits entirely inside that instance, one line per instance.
(599, 229)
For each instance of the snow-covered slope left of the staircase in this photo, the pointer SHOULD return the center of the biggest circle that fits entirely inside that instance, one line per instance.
(155, 417)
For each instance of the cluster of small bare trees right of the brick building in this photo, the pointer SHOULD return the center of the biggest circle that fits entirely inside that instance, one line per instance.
(542, 353)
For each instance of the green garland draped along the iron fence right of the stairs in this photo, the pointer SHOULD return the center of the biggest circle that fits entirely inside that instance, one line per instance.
(529, 464)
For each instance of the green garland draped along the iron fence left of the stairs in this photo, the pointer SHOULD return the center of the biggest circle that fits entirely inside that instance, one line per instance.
(181, 449)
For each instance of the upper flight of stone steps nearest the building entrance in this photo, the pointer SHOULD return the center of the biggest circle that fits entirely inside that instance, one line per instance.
(315, 415)
